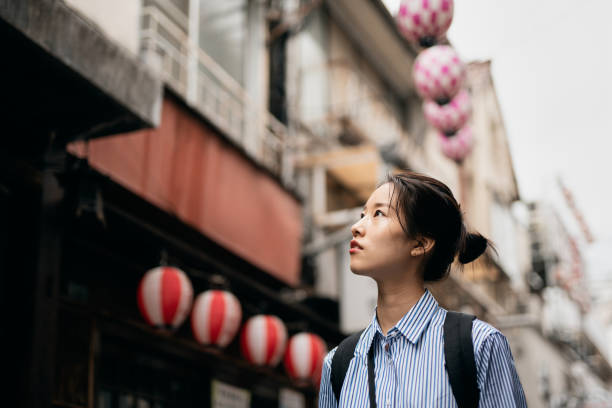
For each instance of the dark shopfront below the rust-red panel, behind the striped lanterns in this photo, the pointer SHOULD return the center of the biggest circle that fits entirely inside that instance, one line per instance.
(109, 354)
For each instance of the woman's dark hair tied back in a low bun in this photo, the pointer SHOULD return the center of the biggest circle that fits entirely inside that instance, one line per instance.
(427, 207)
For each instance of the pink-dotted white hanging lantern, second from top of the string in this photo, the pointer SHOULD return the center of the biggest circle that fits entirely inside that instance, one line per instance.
(438, 74)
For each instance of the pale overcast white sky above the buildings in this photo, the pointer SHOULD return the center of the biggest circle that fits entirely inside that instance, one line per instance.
(552, 67)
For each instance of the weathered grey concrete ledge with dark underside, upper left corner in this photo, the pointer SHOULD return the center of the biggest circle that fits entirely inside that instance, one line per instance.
(73, 45)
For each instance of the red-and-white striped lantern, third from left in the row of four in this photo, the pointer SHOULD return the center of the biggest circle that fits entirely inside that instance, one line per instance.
(263, 340)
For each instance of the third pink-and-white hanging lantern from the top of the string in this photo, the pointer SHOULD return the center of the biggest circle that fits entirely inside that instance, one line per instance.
(451, 117)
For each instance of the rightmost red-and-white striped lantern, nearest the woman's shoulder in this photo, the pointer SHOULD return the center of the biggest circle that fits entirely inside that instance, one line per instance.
(304, 357)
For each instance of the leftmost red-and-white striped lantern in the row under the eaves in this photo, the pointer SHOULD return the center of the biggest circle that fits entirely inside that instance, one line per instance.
(165, 295)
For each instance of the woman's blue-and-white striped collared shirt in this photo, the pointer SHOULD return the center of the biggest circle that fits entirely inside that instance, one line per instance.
(409, 365)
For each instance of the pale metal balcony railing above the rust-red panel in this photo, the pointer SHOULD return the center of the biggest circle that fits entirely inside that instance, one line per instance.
(208, 88)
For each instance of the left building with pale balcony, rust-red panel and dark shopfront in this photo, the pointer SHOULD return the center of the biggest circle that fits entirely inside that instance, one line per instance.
(153, 143)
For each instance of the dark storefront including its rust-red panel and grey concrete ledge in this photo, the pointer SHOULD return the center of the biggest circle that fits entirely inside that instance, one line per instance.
(78, 233)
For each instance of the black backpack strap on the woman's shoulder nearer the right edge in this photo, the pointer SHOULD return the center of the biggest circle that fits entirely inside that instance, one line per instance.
(459, 358)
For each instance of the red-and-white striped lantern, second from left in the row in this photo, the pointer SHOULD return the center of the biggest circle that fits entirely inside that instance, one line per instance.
(215, 318)
